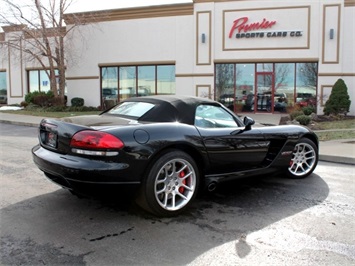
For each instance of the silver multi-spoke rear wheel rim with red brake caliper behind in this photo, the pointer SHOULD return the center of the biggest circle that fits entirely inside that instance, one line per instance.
(175, 184)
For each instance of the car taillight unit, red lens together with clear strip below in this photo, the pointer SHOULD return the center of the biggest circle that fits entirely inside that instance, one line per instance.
(86, 140)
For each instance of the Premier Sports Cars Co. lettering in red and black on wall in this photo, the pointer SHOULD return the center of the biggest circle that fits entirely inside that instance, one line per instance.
(242, 29)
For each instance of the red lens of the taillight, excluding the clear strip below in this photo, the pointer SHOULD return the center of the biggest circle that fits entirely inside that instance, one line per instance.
(95, 140)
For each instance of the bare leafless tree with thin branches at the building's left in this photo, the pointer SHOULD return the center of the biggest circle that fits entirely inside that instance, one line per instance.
(42, 32)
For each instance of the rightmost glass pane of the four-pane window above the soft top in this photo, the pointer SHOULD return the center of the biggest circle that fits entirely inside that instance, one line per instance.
(166, 79)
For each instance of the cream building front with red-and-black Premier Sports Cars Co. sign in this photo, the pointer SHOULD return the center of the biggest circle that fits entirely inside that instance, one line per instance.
(254, 56)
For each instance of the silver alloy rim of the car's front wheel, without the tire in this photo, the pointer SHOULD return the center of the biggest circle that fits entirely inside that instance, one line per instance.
(303, 160)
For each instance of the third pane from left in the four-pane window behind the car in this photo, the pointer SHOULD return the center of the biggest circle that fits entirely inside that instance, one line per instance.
(146, 80)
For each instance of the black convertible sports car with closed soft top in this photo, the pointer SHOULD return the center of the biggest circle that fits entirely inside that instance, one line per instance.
(170, 146)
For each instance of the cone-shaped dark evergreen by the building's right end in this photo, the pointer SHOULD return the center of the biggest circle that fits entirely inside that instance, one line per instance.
(339, 100)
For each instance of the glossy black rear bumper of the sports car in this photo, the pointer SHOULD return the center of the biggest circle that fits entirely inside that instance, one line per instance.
(66, 170)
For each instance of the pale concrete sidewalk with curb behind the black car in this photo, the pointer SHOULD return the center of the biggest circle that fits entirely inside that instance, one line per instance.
(338, 151)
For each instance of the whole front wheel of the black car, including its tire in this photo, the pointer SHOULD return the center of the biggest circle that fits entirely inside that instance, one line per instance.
(304, 159)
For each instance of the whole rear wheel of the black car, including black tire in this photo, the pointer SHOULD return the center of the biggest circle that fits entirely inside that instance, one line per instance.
(170, 185)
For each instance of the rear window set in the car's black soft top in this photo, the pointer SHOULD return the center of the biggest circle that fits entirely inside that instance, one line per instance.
(133, 109)
